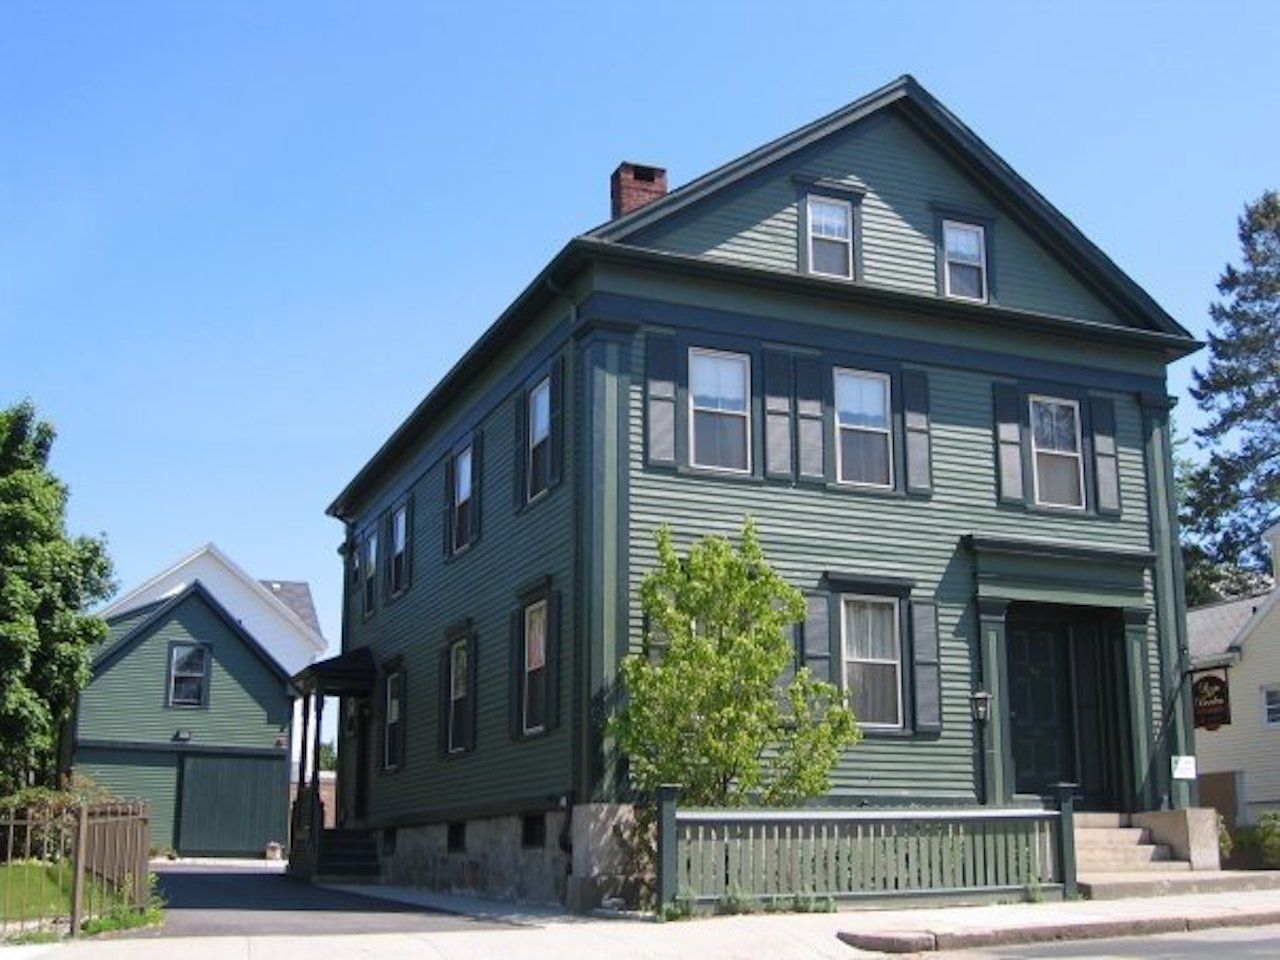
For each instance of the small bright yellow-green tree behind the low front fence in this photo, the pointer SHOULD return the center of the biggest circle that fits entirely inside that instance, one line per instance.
(706, 702)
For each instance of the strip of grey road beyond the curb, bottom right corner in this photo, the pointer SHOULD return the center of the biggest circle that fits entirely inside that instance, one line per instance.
(1238, 944)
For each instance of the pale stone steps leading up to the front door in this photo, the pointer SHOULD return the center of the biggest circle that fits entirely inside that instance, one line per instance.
(1116, 860)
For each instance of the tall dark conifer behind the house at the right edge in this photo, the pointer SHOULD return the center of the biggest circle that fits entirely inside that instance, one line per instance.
(1236, 495)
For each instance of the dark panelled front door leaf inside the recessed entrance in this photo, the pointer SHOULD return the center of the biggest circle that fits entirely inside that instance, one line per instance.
(1040, 706)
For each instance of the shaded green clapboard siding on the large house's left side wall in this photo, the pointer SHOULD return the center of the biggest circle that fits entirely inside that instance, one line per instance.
(481, 584)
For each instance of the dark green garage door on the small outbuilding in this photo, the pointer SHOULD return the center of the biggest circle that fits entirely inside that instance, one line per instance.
(232, 806)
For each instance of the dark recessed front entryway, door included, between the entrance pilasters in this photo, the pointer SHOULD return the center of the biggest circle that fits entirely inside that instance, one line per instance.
(1067, 705)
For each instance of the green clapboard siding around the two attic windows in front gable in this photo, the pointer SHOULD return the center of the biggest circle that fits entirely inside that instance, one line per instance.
(903, 175)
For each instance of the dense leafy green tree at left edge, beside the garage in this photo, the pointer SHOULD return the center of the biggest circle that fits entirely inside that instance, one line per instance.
(48, 580)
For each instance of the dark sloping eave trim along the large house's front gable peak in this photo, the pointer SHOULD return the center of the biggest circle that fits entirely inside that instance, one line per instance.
(908, 100)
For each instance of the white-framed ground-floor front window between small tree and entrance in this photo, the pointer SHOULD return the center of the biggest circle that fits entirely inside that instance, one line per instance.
(874, 660)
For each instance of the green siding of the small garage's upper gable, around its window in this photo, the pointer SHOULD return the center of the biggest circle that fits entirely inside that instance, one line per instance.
(249, 705)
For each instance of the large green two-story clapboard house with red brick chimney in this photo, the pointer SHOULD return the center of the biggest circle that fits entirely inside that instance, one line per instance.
(947, 410)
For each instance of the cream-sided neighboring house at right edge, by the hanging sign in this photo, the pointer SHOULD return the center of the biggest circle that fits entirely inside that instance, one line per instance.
(1236, 655)
